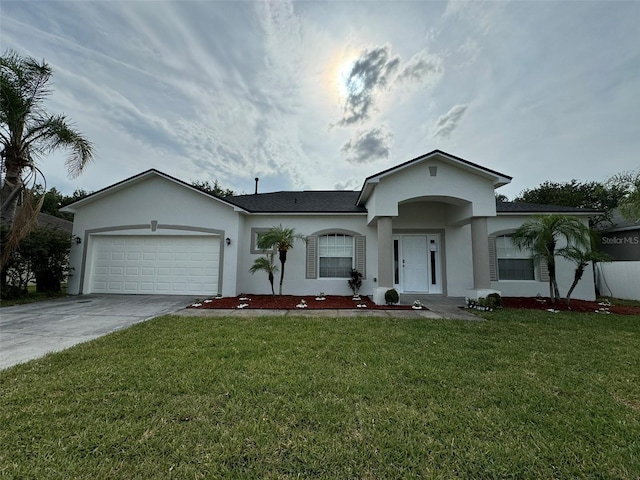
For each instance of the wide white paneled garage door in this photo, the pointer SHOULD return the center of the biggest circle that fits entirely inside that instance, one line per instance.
(155, 264)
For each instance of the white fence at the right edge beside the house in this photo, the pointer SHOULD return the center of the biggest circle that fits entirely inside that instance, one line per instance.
(619, 279)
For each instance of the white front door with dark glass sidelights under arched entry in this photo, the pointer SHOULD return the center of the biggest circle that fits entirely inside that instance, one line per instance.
(417, 263)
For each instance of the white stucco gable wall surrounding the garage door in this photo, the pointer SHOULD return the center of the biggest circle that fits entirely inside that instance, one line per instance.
(164, 201)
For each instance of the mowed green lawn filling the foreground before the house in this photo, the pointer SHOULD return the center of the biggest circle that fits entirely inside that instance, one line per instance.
(523, 395)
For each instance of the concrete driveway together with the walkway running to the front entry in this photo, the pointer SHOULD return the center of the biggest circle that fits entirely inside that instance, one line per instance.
(33, 330)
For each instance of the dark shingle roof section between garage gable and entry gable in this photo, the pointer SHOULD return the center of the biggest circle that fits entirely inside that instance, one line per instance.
(318, 201)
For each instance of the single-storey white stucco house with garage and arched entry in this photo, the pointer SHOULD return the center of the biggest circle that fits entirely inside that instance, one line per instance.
(428, 226)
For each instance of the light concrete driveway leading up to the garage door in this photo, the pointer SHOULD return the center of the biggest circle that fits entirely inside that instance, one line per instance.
(33, 330)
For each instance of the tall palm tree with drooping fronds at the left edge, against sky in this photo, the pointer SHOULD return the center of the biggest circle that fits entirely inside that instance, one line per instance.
(27, 133)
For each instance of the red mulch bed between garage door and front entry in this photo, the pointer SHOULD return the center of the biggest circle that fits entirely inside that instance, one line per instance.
(287, 302)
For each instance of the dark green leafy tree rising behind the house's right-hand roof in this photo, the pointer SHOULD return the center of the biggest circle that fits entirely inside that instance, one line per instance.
(595, 195)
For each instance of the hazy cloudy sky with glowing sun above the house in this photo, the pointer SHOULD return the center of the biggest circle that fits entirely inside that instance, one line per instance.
(320, 95)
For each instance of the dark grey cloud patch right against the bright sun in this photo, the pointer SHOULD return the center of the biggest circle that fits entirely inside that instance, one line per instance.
(371, 71)
